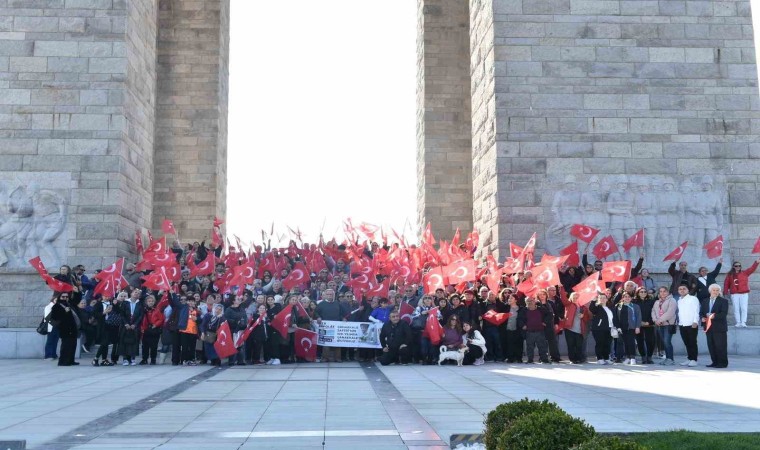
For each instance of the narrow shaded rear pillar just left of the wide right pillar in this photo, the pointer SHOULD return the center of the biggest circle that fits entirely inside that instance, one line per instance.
(444, 196)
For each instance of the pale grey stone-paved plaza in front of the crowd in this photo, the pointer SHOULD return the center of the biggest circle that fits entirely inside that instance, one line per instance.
(350, 405)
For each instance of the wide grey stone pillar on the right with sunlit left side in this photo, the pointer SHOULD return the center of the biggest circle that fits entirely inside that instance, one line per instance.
(618, 114)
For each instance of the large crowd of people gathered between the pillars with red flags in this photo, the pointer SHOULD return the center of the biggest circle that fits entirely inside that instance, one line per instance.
(632, 322)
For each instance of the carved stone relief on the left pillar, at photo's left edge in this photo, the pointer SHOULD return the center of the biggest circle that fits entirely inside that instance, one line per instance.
(31, 219)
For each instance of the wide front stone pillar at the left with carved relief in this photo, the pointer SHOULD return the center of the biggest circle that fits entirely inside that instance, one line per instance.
(76, 124)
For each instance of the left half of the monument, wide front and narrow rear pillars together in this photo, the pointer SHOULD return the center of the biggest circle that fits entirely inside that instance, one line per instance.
(113, 117)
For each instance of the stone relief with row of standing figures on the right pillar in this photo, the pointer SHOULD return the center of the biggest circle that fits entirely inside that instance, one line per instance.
(670, 211)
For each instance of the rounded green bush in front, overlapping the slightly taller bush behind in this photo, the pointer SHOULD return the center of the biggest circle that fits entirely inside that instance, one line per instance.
(545, 430)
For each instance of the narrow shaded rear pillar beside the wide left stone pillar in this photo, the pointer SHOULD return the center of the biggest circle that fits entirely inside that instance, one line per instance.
(191, 116)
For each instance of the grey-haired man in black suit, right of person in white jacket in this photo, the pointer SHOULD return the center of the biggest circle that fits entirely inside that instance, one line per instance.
(714, 310)
